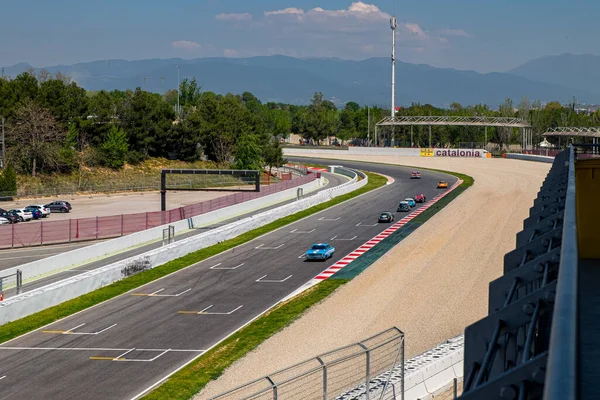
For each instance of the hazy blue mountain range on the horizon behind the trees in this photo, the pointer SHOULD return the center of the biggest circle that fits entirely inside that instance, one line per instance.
(293, 80)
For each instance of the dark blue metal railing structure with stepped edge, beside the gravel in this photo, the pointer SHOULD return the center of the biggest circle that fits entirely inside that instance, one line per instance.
(532, 323)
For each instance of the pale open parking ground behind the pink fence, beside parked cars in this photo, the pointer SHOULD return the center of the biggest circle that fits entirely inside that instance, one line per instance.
(116, 204)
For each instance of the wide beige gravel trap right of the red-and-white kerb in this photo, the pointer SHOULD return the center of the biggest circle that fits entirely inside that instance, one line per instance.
(431, 285)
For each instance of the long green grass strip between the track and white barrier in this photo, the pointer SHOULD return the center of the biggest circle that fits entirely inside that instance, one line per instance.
(45, 317)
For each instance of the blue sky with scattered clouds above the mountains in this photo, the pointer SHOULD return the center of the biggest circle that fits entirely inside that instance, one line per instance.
(480, 35)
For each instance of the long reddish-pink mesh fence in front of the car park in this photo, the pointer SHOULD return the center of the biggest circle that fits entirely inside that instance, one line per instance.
(82, 229)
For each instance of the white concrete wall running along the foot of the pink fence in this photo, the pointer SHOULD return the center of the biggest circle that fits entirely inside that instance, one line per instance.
(96, 251)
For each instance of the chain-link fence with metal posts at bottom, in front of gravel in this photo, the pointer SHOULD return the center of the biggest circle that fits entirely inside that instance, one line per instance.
(329, 375)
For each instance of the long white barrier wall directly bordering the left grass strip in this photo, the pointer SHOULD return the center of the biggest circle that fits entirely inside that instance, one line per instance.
(59, 292)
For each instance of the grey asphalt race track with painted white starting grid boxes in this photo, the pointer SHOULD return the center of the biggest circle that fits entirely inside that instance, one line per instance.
(121, 348)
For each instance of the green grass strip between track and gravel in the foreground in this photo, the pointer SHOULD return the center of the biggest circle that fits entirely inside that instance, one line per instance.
(191, 379)
